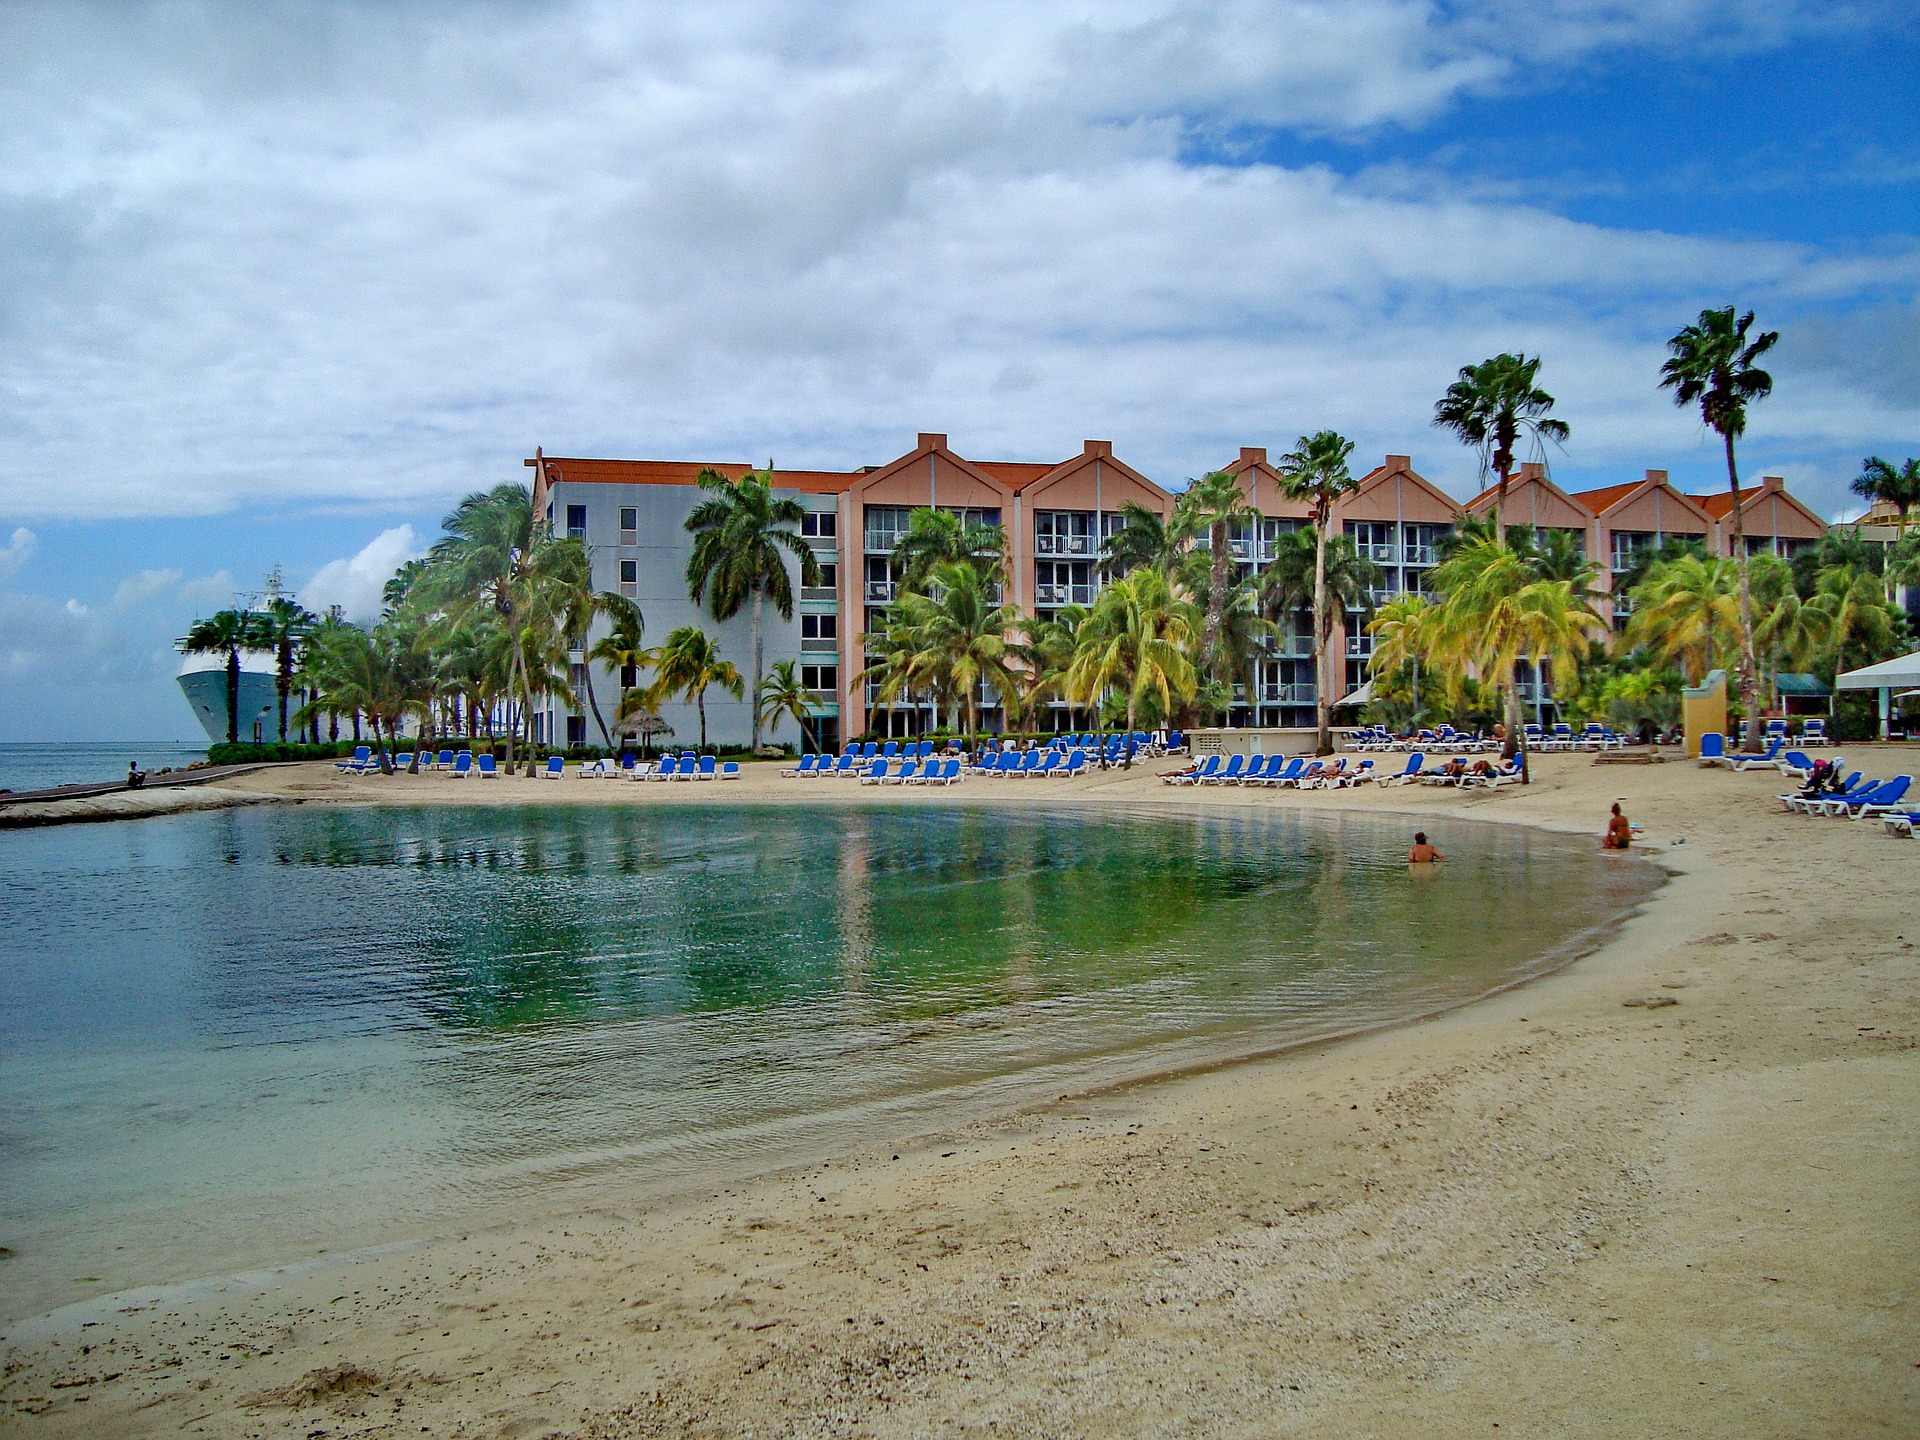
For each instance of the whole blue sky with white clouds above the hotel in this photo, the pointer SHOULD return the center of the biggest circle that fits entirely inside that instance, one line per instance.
(279, 283)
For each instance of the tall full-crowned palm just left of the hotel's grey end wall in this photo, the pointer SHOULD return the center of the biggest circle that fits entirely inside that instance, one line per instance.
(496, 560)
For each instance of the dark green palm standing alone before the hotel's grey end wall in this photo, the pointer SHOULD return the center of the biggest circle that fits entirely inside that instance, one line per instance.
(742, 540)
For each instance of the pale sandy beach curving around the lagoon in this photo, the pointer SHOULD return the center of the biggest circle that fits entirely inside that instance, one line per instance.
(1671, 1189)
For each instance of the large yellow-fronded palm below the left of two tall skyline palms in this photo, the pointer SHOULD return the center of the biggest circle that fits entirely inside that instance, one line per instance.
(1495, 615)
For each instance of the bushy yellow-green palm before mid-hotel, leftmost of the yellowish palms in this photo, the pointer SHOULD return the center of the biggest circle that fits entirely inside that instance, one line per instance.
(1136, 638)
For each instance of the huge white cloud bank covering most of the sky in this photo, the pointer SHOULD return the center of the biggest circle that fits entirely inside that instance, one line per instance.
(264, 256)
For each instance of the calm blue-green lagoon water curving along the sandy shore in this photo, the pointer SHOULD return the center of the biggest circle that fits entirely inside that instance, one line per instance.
(243, 1038)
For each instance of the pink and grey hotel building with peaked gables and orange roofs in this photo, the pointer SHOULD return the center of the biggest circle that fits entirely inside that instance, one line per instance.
(1057, 517)
